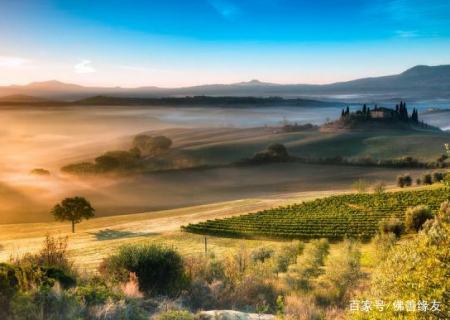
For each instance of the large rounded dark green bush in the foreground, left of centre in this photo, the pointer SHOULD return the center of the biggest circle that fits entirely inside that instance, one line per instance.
(159, 269)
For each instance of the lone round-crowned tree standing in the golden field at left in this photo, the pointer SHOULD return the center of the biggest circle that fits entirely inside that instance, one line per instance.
(73, 209)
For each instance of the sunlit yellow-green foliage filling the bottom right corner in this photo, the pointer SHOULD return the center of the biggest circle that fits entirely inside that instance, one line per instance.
(416, 269)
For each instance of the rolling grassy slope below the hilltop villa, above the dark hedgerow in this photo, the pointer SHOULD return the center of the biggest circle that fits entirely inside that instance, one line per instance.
(215, 146)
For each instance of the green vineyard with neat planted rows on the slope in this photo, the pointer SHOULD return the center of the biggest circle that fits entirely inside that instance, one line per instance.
(335, 217)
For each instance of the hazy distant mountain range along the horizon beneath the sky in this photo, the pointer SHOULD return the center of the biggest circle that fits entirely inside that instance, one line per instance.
(417, 83)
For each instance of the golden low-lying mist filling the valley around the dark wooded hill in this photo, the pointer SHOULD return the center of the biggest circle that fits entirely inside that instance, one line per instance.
(50, 138)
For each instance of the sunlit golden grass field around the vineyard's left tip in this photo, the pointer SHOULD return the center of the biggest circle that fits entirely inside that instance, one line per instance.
(99, 237)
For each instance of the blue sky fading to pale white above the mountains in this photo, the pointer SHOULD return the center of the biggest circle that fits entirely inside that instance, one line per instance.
(174, 43)
